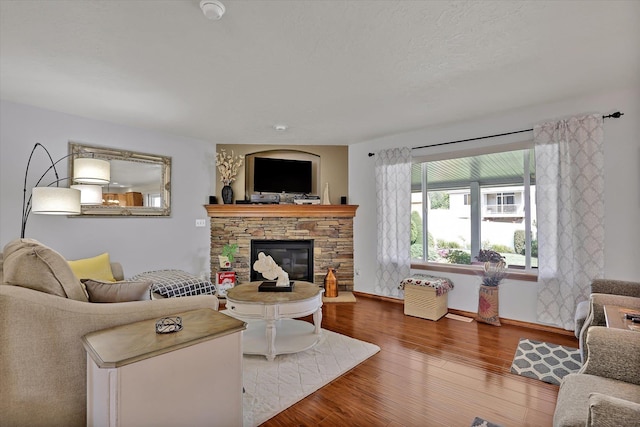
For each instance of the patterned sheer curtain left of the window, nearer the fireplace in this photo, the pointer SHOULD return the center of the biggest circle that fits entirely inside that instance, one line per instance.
(393, 193)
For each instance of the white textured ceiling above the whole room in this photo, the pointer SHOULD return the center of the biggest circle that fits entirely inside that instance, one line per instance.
(336, 72)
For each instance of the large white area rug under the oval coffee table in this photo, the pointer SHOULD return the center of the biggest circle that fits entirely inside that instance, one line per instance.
(271, 387)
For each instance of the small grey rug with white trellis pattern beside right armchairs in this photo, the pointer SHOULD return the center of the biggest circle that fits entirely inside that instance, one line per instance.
(545, 361)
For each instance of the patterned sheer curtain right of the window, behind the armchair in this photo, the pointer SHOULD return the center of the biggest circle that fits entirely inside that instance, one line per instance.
(570, 209)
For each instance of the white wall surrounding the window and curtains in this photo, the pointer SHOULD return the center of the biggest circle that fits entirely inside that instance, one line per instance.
(622, 190)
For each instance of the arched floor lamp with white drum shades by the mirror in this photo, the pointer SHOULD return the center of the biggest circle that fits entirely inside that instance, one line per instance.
(51, 199)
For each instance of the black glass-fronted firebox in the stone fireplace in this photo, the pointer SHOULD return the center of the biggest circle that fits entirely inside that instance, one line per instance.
(294, 256)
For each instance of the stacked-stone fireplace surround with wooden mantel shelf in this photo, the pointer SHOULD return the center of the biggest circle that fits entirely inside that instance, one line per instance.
(330, 227)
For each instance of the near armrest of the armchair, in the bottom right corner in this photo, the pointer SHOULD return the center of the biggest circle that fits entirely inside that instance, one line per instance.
(610, 411)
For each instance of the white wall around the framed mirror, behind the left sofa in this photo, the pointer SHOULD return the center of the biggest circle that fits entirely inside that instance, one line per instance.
(140, 244)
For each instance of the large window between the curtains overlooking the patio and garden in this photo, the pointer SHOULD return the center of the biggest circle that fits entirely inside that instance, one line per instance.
(465, 204)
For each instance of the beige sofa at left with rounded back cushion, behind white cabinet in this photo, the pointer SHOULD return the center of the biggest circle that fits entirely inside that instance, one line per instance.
(44, 313)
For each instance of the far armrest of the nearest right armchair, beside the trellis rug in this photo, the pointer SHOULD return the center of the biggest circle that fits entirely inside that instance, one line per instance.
(613, 353)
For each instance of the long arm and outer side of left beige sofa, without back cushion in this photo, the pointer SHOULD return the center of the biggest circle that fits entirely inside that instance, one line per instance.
(42, 359)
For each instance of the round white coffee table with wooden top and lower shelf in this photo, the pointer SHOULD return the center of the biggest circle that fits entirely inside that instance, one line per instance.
(271, 328)
